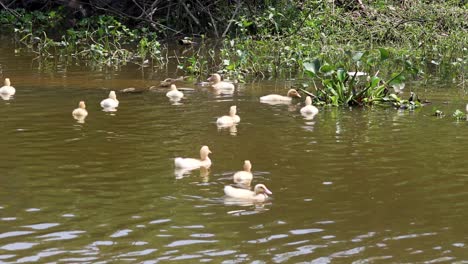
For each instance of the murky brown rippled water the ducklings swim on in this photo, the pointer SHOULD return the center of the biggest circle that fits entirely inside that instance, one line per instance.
(367, 185)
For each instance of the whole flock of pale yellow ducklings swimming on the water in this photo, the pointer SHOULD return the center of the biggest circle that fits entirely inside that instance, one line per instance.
(243, 178)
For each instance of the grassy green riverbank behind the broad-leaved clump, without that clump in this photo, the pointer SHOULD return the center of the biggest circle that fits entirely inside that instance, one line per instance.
(277, 41)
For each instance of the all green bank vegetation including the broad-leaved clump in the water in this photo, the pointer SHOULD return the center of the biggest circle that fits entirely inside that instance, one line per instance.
(320, 41)
